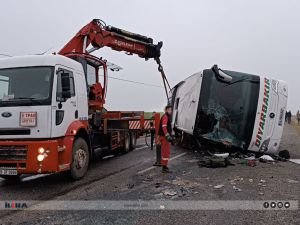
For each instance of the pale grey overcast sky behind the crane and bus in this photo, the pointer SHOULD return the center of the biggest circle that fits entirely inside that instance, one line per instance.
(254, 36)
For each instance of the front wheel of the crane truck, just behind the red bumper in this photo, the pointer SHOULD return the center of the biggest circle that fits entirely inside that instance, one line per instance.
(80, 159)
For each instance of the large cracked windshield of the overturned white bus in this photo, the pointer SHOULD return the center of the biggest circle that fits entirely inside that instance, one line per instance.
(227, 111)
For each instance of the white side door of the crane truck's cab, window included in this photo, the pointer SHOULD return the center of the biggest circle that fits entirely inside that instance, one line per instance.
(64, 107)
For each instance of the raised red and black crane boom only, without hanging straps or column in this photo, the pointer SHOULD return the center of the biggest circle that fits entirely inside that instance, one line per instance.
(97, 34)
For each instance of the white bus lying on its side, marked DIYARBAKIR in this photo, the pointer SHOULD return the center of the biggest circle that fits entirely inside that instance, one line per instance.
(230, 109)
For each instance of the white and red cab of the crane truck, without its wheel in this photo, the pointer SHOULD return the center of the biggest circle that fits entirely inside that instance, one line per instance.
(43, 106)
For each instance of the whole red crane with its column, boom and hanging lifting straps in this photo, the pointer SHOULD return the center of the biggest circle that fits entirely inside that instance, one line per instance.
(97, 35)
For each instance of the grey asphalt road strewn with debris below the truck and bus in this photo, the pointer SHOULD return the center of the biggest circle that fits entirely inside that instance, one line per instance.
(131, 177)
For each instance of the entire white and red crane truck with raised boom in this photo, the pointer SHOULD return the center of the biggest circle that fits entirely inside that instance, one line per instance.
(52, 114)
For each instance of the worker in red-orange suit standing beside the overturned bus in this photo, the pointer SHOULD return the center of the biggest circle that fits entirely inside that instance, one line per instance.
(165, 131)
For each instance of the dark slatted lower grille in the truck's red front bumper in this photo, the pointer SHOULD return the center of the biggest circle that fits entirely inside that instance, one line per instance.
(13, 152)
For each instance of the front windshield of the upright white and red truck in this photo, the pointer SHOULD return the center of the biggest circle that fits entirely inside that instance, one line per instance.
(26, 86)
